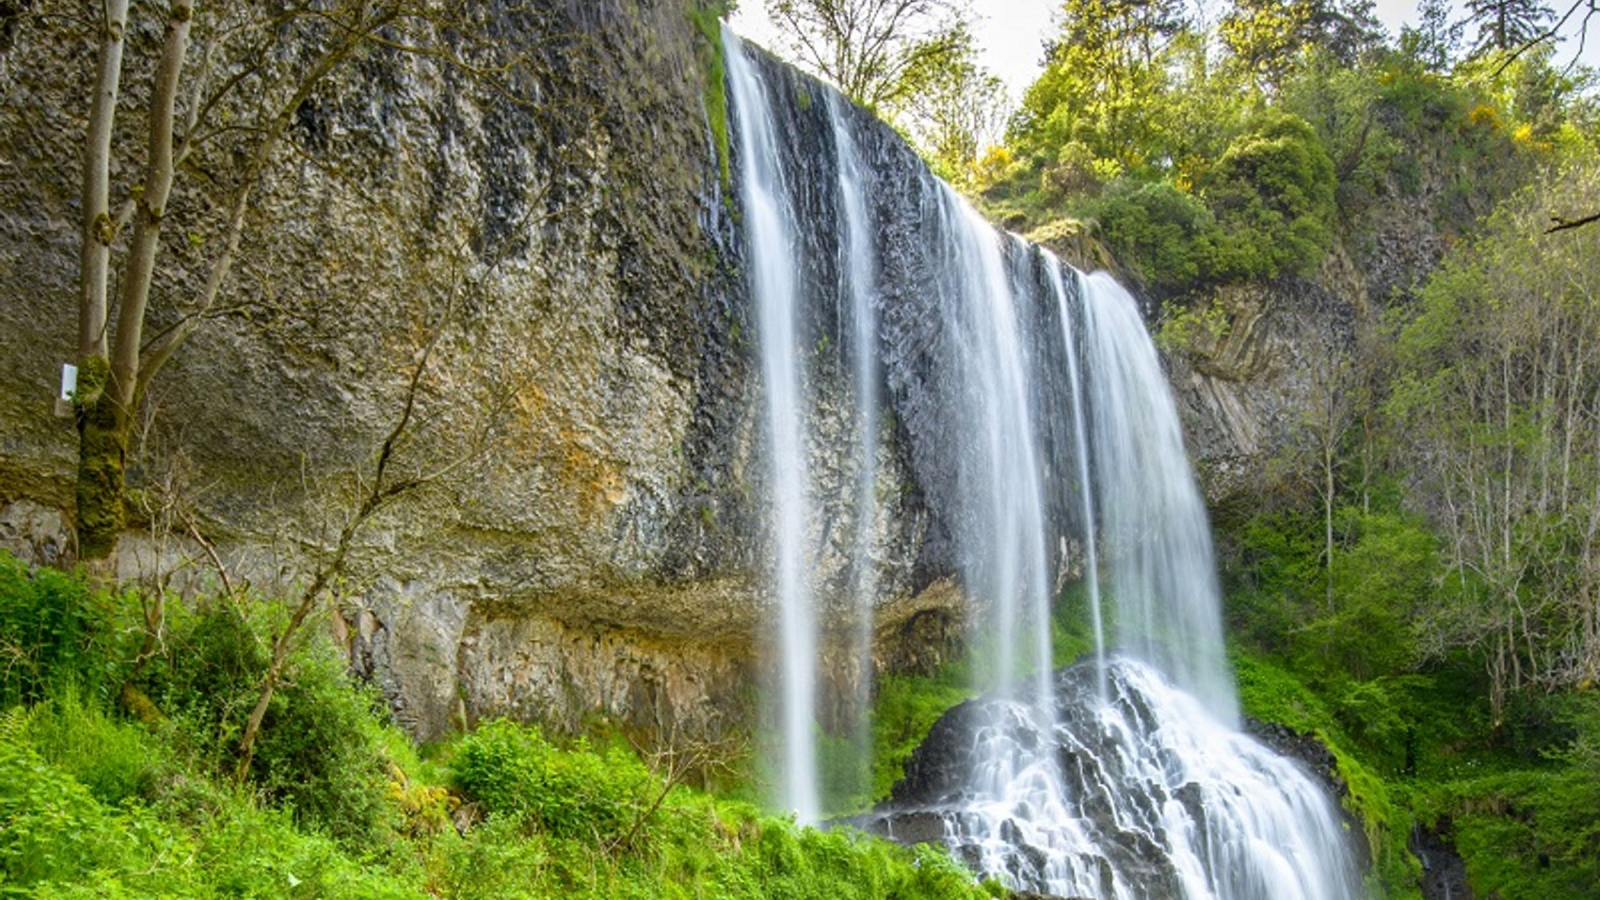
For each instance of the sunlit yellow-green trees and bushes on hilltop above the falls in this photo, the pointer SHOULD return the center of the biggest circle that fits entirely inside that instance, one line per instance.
(1241, 153)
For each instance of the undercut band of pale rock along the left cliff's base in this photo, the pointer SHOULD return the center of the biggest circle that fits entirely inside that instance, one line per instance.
(668, 664)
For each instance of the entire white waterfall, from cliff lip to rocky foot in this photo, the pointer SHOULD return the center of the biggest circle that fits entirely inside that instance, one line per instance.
(1022, 400)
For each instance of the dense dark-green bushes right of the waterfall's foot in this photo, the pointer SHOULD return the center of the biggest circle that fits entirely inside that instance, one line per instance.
(1412, 731)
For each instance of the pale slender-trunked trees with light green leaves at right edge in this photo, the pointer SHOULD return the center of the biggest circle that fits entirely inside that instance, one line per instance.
(1492, 372)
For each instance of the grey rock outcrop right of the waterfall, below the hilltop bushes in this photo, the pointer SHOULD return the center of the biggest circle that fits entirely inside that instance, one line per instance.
(1252, 385)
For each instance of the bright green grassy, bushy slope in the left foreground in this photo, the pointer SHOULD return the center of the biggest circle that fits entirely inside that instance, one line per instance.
(118, 779)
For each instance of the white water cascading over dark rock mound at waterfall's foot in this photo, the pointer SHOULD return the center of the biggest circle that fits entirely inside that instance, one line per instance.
(1146, 797)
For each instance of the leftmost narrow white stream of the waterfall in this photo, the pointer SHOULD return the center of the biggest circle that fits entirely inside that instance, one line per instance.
(775, 283)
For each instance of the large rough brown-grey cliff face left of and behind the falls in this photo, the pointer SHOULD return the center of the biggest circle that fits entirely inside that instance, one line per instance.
(542, 220)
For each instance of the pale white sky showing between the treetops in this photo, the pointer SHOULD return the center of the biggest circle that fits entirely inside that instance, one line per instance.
(1010, 33)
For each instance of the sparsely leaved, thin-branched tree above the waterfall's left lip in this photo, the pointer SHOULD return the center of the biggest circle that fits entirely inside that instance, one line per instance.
(878, 52)
